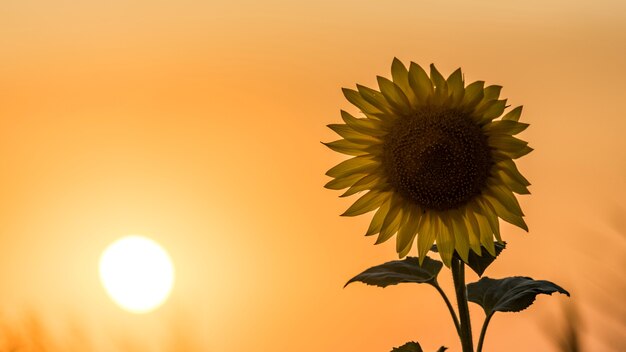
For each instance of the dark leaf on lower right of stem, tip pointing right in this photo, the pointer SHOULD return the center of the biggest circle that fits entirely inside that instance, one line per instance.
(511, 294)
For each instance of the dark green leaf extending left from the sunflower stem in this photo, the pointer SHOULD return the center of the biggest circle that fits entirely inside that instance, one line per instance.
(401, 271)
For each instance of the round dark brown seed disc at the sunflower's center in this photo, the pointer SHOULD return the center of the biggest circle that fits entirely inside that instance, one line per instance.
(438, 158)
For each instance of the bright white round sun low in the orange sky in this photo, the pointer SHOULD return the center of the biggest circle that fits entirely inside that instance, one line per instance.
(137, 273)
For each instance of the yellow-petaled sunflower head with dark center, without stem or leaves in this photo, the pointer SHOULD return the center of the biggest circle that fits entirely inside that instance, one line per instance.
(435, 158)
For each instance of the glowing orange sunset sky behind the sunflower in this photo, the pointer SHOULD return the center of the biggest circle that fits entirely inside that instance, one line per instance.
(198, 124)
